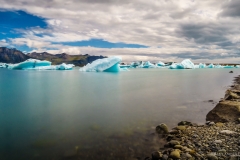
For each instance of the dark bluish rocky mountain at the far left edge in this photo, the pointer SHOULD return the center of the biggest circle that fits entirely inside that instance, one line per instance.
(12, 55)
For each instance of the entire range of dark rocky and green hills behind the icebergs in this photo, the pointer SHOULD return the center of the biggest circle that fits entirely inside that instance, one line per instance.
(15, 56)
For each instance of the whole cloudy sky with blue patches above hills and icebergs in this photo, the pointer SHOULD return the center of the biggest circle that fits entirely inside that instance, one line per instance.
(155, 30)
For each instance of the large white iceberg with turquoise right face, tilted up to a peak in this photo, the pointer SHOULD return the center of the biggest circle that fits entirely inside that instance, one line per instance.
(103, 65)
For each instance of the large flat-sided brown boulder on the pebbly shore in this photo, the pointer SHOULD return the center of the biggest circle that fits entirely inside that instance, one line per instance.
(225, 111)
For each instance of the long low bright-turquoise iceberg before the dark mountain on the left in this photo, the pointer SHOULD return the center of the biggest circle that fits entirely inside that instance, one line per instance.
(29, 64)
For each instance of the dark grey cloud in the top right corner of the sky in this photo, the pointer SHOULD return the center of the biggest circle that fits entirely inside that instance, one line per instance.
(231, 9)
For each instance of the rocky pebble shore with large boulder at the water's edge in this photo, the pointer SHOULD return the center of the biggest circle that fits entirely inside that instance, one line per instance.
(218, 139)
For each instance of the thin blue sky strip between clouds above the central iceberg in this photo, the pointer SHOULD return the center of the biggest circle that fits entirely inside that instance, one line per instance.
(99, 43)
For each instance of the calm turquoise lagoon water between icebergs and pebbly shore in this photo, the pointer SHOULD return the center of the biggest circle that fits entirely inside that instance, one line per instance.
(43, 114)
